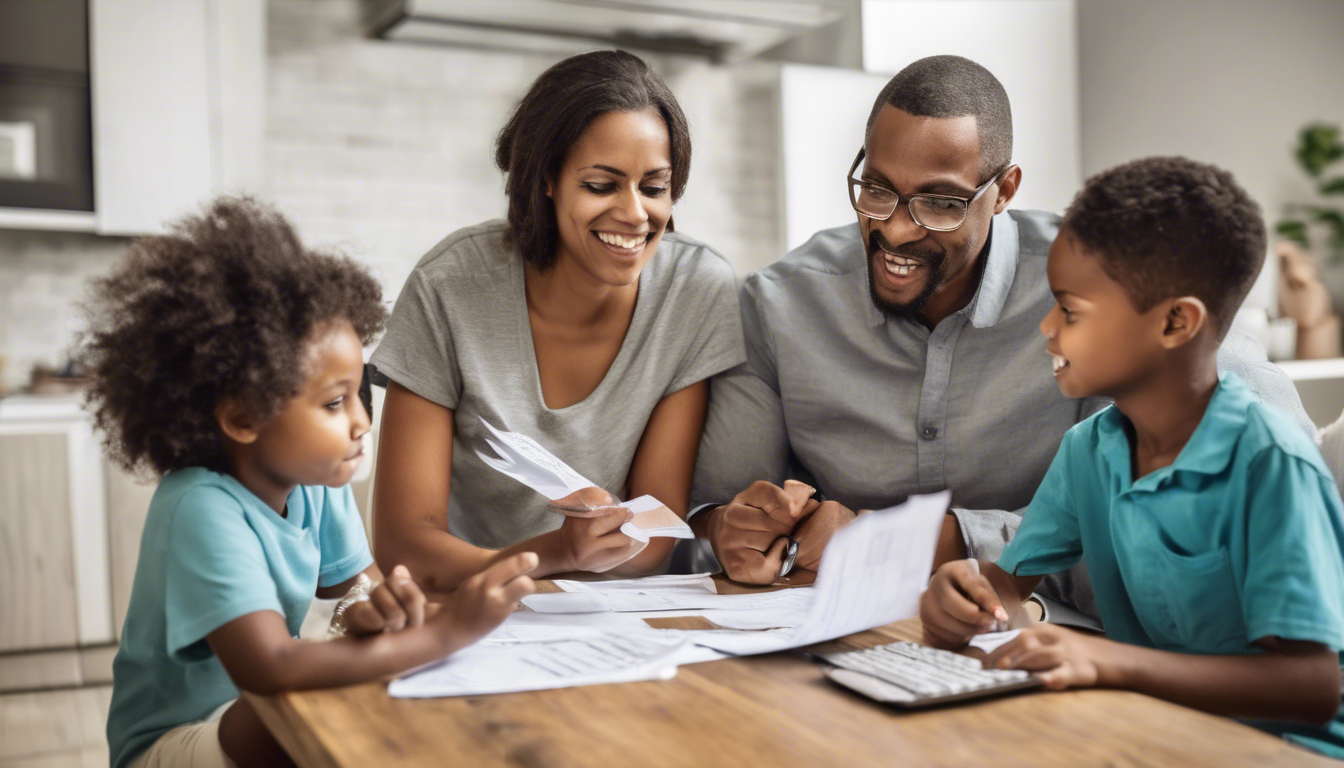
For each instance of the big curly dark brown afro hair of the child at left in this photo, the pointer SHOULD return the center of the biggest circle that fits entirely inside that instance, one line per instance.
(222, 307)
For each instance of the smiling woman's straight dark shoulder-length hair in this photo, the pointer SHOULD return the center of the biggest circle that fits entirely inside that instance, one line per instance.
(550, 119)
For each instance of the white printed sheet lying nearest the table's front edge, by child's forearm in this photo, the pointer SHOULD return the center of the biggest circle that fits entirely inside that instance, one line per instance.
(491, 668)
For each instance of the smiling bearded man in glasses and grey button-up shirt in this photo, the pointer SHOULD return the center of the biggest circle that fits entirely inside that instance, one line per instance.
(901, 356)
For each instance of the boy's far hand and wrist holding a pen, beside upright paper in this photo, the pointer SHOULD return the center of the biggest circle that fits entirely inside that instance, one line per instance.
(967, 598)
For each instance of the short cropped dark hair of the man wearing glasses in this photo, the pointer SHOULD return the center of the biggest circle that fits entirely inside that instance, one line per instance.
(955, 87)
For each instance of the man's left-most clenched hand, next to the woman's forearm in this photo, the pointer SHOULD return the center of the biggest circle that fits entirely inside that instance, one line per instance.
(749, 535)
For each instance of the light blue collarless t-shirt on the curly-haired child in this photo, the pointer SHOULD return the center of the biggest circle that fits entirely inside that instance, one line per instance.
(213, 552)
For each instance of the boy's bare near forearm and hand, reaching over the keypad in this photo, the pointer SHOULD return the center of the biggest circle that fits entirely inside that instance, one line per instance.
(1292, 680)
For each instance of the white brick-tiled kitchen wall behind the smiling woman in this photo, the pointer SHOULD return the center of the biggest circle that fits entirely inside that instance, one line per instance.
(381, 150)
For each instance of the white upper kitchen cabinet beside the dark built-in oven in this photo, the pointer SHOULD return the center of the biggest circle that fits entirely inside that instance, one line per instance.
(178, 112)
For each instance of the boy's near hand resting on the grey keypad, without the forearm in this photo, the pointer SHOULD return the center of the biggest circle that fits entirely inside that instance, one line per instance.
(1061, 657)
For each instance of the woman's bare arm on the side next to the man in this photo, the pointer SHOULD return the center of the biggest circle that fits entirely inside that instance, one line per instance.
(665, 465)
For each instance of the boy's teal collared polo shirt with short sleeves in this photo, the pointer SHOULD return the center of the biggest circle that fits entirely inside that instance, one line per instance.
(1240, 539)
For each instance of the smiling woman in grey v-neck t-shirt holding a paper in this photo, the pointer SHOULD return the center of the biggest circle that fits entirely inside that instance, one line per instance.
(581, 322)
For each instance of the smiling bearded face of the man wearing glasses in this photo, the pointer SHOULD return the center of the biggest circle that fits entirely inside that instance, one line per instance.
(911, 267)
